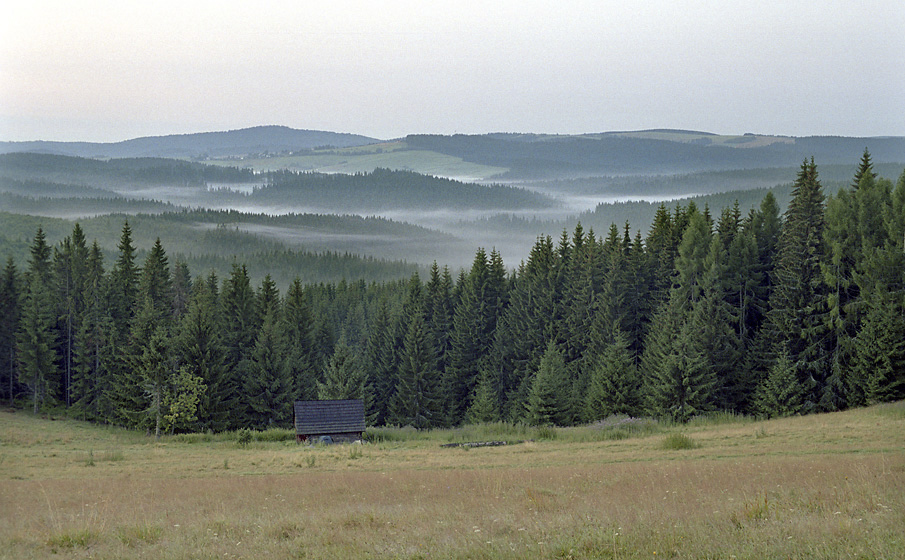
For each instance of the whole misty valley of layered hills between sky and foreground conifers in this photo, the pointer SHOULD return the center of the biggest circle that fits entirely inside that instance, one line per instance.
(446, 195)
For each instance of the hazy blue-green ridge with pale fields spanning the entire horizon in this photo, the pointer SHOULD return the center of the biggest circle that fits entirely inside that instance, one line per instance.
(510, 156)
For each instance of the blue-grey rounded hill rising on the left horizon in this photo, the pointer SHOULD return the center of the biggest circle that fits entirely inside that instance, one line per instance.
(256, 140)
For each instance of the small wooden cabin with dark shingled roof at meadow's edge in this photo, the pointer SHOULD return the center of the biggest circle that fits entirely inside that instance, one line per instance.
(340, 420)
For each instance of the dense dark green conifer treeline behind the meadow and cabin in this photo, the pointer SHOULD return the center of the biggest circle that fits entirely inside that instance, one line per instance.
(759, 314)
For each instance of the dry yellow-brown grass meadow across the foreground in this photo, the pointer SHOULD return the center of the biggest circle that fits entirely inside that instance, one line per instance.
(821, 486)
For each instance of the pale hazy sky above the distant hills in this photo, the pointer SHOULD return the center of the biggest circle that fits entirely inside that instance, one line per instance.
(105, 71)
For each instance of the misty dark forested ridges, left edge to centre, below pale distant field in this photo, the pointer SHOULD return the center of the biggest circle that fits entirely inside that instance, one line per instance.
(29, 180)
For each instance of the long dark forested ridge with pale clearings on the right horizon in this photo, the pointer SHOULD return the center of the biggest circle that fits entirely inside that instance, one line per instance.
(531, 156)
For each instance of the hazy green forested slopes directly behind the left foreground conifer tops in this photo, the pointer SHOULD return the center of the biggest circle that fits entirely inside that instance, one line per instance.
(210, 240)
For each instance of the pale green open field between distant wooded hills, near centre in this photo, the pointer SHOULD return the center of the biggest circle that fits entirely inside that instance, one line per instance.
(367, 158)
